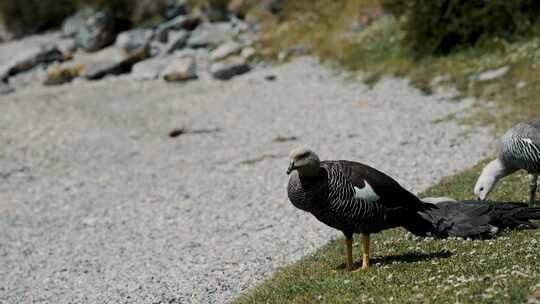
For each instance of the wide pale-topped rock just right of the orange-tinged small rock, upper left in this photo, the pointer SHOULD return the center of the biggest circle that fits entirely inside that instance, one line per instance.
(110, 61)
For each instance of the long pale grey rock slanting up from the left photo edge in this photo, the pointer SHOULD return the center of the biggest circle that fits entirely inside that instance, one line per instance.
(29, 59)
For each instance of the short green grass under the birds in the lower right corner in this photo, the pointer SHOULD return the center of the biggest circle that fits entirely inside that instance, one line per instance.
(407, 269)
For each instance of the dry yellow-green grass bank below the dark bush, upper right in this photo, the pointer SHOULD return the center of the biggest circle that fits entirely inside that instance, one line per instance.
(354, 34)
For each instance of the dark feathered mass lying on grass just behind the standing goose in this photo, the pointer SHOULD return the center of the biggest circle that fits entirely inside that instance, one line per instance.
(472, 219)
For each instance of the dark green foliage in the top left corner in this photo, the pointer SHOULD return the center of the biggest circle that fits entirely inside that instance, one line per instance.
(28, 16)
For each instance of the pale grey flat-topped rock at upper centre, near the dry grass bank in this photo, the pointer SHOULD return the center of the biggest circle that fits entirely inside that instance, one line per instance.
(210, 35)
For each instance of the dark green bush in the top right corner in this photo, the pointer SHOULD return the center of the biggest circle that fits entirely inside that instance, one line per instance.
(441, 26)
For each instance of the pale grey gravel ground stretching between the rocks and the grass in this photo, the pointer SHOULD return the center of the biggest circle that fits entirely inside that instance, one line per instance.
(99, 205)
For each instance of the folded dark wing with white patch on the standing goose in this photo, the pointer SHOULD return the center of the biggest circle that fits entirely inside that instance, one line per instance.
(373, 185)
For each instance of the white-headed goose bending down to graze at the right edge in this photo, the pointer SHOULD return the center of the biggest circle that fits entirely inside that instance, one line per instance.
(518, 148)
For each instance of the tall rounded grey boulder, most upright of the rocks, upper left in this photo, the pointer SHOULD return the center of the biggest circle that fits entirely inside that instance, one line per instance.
(97, 32)
